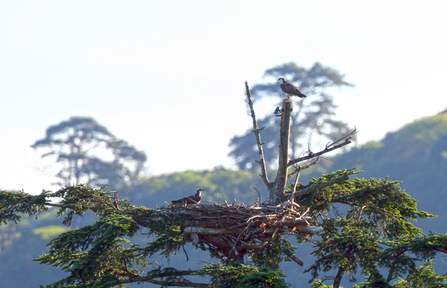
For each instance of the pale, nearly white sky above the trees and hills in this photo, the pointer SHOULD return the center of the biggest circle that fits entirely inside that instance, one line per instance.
(133, 65)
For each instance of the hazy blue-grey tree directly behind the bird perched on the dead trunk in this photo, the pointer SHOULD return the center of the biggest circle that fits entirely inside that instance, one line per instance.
(313, 118)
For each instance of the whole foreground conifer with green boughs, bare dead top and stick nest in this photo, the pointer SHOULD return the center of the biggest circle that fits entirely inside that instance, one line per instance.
(354, 226)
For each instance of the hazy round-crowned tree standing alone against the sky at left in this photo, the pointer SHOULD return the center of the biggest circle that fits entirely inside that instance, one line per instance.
(90, 154)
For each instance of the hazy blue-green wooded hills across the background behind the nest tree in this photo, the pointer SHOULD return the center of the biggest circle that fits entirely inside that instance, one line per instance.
(415, 155)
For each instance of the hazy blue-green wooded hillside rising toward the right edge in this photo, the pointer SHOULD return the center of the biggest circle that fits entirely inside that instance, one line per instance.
(416, 155)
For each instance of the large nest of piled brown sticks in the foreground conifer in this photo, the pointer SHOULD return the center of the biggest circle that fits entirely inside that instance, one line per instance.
(232, 230)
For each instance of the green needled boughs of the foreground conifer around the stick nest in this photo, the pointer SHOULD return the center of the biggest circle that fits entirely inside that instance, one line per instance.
(367, 226)
